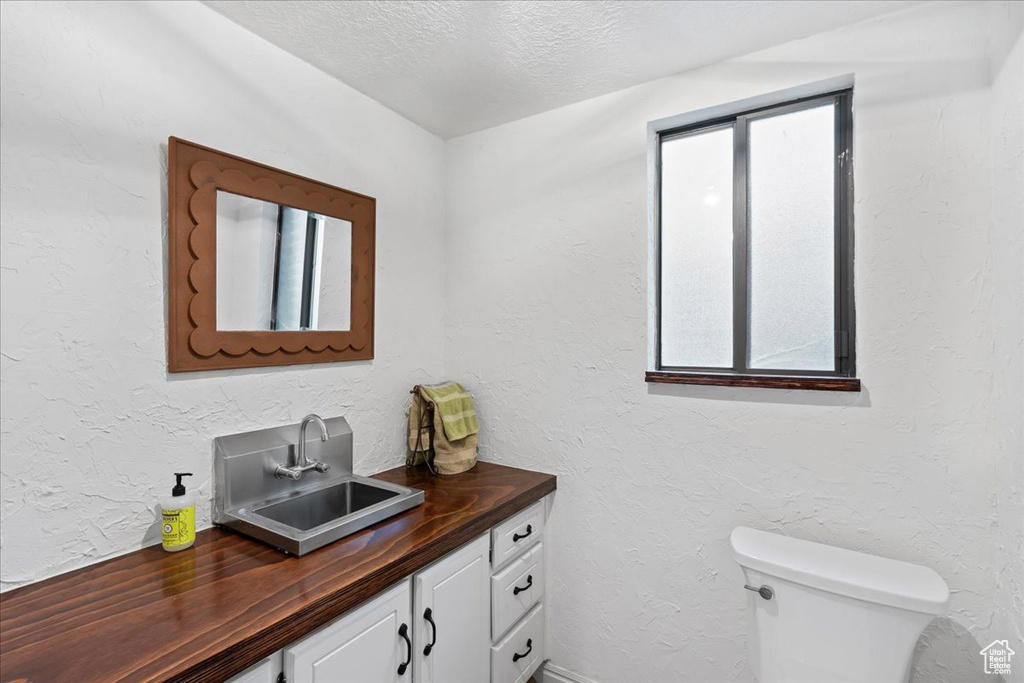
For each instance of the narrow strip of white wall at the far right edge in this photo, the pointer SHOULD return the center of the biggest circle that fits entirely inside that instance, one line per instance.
(1007, 243)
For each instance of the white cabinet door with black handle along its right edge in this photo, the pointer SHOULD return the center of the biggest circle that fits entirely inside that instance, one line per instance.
(364, 647)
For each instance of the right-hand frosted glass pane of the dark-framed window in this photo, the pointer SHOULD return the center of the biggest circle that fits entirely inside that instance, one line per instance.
(792, 240)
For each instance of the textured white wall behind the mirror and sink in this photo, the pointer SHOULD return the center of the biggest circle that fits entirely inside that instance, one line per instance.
(93, 424)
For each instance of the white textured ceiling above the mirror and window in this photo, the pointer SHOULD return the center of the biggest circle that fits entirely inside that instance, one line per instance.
(456, 68)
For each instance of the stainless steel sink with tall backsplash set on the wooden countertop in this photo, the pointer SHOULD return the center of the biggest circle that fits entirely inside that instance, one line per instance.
(298, 517)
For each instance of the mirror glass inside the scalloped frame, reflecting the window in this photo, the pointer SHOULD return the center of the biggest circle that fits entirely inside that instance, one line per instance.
(281, 269)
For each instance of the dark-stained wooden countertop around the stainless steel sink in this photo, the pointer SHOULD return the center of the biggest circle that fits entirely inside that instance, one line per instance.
(210, 612)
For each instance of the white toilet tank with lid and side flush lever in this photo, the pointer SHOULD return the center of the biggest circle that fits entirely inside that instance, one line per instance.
(824, 615)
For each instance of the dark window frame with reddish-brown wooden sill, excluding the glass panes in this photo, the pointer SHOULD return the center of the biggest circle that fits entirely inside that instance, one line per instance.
(843, 376)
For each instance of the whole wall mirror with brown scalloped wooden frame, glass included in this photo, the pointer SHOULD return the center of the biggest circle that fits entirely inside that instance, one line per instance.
(266, 268)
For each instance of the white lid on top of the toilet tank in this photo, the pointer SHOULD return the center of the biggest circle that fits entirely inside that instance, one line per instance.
(842, 572)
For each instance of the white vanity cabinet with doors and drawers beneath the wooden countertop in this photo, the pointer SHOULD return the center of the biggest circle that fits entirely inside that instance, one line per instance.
(473, 617)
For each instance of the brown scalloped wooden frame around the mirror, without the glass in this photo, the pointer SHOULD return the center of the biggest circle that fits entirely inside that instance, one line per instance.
(195, 175)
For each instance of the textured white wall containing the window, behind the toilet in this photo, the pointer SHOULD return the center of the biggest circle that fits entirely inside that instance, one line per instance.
(547, 323)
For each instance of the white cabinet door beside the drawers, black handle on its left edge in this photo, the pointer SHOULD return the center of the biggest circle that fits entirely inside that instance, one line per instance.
(452, 618)
